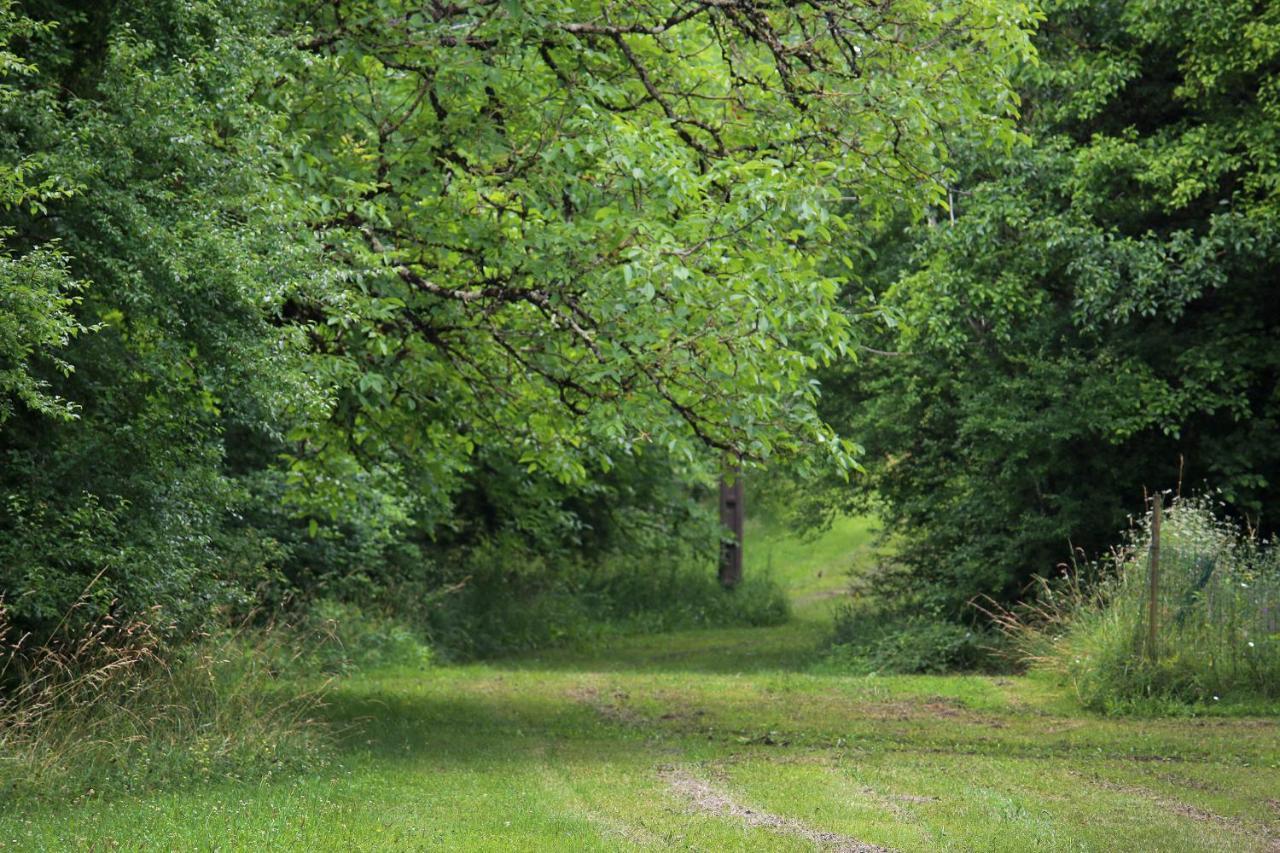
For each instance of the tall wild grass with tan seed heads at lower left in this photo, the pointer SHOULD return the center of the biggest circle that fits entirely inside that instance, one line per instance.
(108, 708)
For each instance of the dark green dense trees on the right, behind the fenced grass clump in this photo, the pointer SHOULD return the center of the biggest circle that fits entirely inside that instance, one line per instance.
(1095, 316)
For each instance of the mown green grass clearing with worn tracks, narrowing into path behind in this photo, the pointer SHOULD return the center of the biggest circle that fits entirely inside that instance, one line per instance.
(720, 741)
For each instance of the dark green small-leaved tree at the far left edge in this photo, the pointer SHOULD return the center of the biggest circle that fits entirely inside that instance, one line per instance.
(144, 202)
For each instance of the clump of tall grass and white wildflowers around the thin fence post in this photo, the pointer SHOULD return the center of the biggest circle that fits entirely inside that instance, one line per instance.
(1217, 618)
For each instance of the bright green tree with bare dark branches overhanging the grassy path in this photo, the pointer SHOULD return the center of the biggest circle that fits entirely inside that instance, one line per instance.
(580, 231)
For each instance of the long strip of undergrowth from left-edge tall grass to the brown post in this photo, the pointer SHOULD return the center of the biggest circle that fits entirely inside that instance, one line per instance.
(104, 706)
